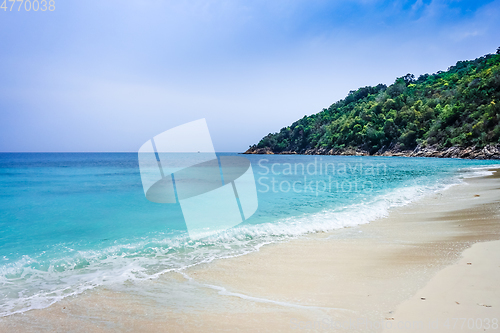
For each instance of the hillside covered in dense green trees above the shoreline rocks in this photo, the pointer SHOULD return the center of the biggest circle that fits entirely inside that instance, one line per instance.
(456, 108)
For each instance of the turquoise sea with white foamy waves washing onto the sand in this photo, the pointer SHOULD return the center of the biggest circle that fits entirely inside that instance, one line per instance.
(70, 222)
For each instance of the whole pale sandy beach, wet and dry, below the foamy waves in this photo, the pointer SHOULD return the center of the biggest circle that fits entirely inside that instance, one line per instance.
(434, 260)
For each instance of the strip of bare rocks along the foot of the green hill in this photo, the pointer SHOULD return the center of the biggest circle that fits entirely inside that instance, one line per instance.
(483, 153)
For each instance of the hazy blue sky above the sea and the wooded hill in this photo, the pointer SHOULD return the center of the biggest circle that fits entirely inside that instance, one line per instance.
(109, 75)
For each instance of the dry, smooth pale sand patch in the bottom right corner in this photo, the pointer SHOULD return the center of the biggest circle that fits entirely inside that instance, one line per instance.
(463, 297)
